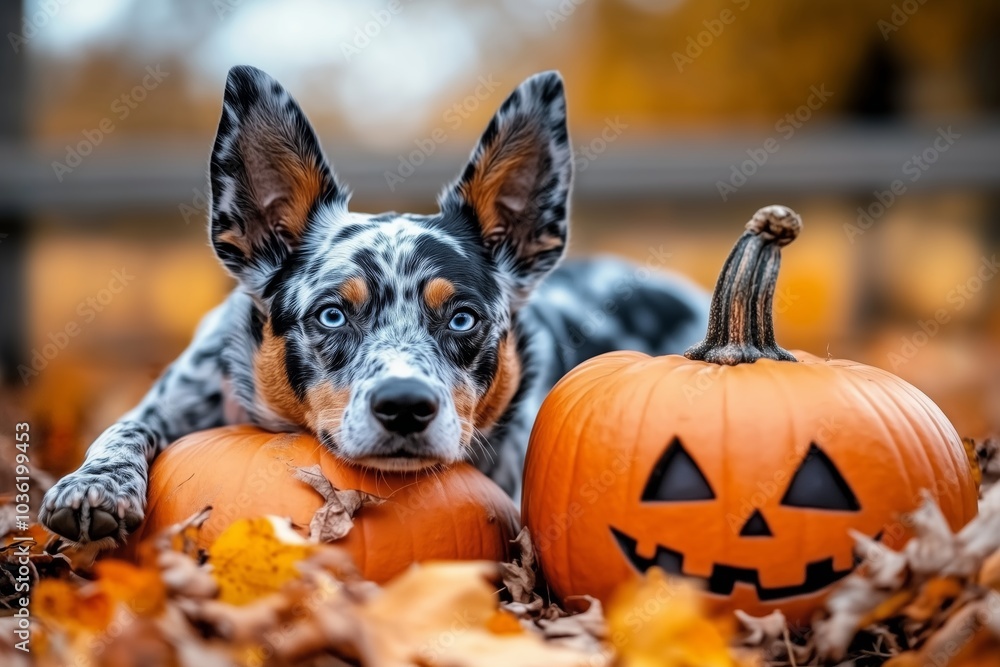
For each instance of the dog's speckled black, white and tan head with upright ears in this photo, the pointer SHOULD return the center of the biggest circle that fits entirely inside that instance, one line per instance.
(388, 336)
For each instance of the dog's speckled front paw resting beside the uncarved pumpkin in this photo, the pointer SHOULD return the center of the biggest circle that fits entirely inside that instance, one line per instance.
(91, 506)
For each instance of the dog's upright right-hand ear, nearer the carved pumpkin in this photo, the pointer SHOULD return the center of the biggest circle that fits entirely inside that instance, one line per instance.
(517, 182)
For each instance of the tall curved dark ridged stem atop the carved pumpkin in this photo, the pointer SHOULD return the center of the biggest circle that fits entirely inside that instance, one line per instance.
(740, 323)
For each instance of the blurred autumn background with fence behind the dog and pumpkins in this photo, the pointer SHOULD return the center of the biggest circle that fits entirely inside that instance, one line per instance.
(879, 122)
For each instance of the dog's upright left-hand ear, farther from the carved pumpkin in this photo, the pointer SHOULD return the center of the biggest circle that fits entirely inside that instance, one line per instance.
(267, 174)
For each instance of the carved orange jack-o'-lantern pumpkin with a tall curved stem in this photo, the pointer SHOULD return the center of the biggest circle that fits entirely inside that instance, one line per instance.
(738, 464)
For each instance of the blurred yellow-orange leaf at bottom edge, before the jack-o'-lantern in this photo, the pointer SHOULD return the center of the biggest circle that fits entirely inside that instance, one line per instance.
(658, 621)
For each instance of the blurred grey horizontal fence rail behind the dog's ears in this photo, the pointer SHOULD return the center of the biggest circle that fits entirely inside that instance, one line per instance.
(835, 159)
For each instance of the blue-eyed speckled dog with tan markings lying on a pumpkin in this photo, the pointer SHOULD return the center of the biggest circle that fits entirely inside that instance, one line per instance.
(400, 341)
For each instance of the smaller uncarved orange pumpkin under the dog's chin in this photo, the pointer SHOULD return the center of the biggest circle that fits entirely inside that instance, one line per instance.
(242, 472)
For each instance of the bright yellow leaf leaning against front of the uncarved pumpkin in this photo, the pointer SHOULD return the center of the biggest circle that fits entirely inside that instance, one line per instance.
(255, 557)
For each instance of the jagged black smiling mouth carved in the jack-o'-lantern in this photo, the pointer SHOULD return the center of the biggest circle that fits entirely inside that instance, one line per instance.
(819, 574)
